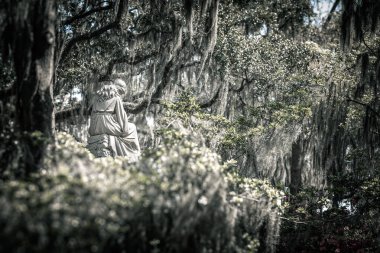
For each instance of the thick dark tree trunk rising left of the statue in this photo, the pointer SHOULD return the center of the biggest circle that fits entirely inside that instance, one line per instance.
(33, 45)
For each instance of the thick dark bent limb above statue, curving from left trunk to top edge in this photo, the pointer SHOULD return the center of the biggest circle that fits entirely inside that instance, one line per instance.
(123, 4)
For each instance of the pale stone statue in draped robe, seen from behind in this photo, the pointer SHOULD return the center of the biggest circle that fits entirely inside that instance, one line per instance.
(110, 132)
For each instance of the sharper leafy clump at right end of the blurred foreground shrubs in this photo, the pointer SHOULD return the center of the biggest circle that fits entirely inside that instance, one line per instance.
(259, 205)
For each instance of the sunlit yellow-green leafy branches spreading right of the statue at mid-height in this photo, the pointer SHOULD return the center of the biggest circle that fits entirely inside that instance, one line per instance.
(183, 117)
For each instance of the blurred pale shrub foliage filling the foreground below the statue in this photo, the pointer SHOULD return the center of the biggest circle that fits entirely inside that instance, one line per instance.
(177, 198)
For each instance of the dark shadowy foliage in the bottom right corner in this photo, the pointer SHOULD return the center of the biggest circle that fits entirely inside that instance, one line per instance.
(343, 217)
